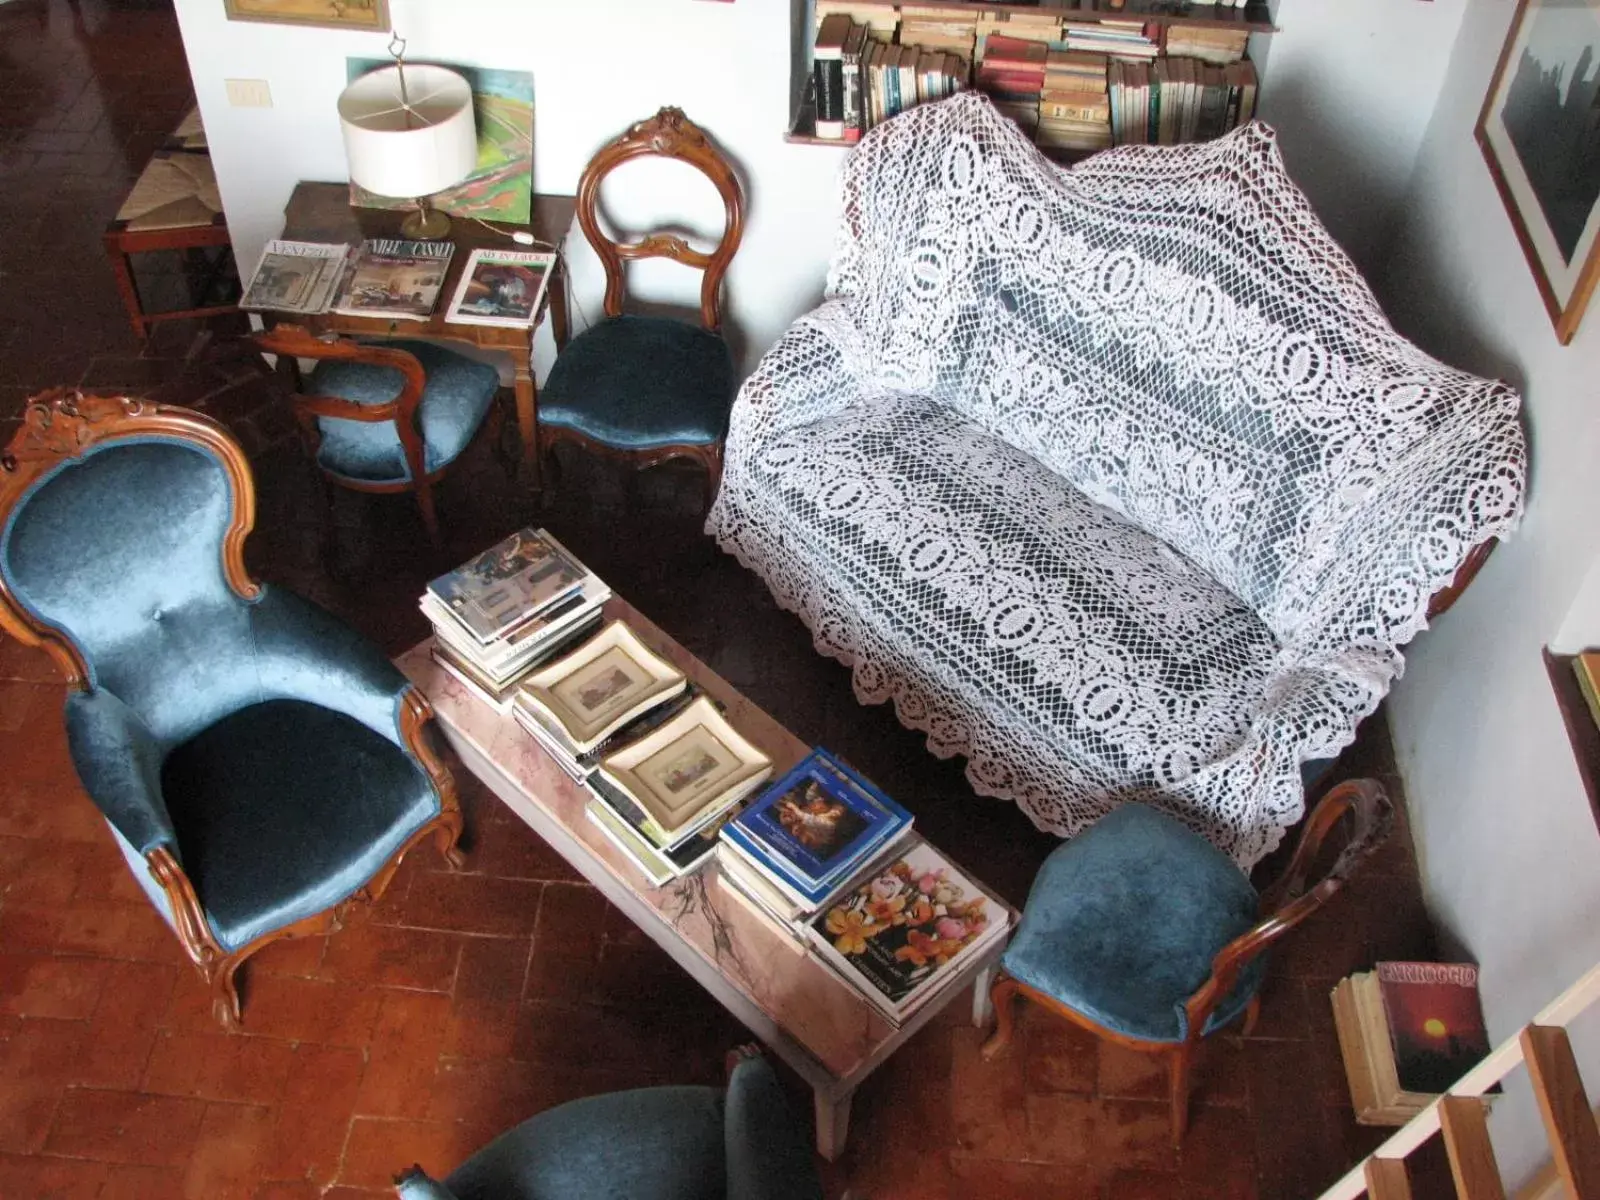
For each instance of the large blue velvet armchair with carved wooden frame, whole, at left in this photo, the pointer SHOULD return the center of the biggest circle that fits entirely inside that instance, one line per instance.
(258, 762)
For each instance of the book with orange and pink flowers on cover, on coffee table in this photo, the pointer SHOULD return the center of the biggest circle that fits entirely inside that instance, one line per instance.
(906, 924)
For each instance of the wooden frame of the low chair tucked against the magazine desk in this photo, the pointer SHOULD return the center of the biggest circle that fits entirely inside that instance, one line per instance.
(295, 342)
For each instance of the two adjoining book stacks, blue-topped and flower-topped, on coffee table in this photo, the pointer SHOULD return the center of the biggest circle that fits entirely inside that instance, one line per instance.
(834, 863)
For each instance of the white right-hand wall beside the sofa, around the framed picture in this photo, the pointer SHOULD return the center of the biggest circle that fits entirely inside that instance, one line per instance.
(1508, 846)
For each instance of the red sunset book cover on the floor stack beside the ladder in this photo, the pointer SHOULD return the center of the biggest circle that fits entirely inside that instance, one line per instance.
(1436, 1025)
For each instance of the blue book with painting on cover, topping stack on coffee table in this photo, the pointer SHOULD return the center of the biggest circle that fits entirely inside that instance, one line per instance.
(822, 818)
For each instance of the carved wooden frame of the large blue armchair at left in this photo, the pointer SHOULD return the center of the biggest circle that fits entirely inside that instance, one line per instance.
(65, 425)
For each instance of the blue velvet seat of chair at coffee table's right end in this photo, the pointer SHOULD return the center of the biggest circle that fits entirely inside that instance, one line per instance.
(1122, 924)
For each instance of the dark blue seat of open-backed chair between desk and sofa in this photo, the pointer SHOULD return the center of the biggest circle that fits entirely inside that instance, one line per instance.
(638, 383)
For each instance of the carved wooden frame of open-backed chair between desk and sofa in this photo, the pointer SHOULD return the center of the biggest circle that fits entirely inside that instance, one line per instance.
(668, 135)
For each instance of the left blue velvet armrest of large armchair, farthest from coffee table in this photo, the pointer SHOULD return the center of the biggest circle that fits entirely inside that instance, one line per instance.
(119, 762)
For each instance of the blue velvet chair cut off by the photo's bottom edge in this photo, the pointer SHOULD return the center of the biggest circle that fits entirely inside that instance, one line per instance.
(646, 1145)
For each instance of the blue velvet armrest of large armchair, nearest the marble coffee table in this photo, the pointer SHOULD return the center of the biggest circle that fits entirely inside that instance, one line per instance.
(306, 654)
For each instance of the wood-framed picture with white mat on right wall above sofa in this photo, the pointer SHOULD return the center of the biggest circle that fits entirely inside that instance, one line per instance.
(1542, 138)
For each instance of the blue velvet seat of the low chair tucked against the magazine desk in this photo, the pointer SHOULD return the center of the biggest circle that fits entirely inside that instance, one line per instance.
(455, 401)
